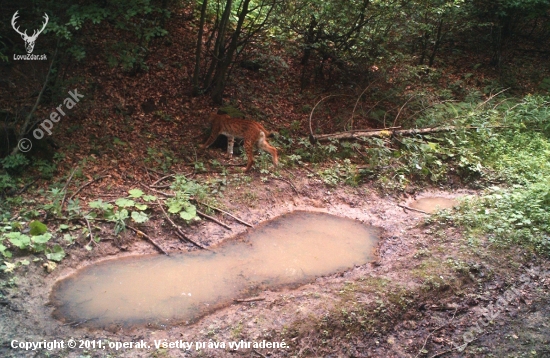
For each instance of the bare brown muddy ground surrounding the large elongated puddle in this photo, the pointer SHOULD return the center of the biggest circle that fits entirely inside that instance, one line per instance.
(444, 283)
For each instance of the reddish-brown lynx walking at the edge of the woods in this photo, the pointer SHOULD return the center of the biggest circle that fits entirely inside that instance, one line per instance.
(252, 133)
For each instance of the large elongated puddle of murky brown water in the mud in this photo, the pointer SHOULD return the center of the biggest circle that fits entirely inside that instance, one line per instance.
(291, 249)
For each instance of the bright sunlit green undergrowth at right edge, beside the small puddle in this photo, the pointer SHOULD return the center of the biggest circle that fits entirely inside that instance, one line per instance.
(517, 155)
